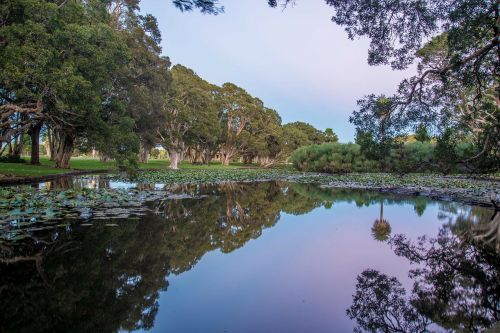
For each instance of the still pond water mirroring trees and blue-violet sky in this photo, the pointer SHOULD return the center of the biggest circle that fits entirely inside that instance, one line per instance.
(247, 257)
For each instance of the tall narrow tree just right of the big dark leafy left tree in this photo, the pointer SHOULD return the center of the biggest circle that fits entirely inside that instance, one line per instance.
(141, 85)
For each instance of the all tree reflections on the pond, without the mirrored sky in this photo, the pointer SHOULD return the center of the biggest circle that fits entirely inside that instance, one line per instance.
(95, 277)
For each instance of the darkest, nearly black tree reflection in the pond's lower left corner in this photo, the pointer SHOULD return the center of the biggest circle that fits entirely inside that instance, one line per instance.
(101, 280)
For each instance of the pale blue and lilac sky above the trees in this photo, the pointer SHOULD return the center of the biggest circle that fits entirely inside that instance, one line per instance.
(295, 60)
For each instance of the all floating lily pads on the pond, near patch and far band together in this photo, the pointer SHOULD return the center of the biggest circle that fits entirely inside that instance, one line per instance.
(82, 199)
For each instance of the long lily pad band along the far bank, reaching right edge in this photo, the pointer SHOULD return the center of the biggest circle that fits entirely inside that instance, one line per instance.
(472, 190)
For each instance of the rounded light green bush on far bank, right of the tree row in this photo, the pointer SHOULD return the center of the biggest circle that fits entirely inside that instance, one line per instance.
(332, 158)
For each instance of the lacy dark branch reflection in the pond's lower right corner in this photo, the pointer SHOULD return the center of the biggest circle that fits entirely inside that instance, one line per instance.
(456, 283)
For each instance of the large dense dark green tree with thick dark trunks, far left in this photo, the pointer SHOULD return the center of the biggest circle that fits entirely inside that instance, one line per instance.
(66, 84)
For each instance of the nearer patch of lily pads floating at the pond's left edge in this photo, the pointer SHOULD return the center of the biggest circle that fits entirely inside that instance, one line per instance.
(24, 209)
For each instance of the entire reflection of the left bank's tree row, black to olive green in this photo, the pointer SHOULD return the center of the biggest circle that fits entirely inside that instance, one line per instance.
(108, 278)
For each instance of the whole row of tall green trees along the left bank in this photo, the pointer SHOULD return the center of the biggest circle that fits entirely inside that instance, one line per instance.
(91, 76)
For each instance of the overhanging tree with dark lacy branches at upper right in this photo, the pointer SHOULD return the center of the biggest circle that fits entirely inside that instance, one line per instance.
(457, 68)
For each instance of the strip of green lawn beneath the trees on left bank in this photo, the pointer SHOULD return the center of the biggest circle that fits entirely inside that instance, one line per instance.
(47, 167)
